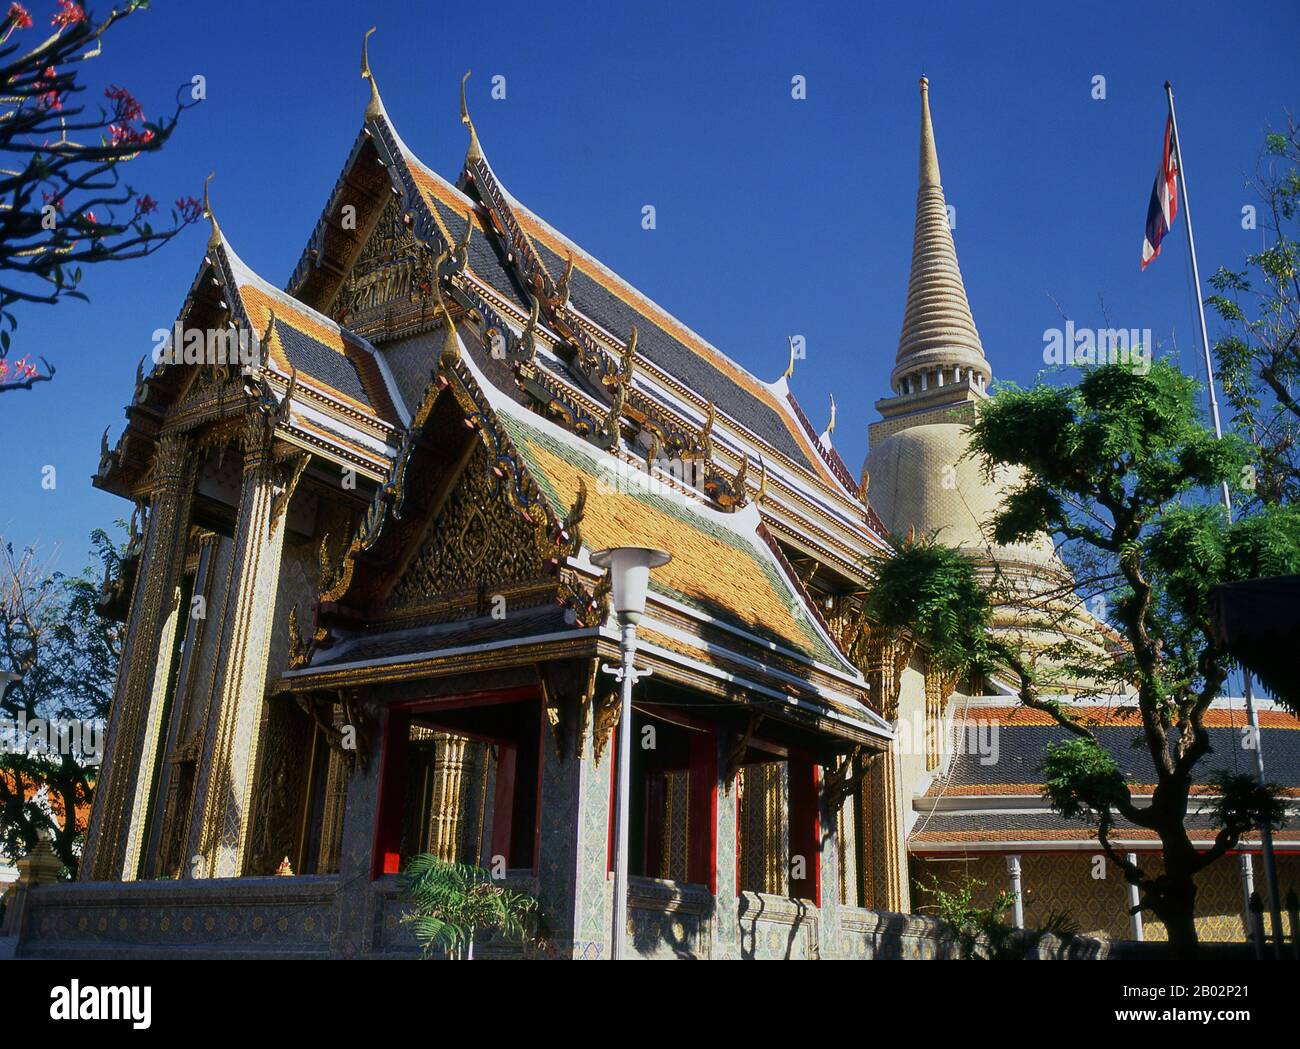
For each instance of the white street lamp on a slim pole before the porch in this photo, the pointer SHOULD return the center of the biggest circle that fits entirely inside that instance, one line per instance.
(630, 578)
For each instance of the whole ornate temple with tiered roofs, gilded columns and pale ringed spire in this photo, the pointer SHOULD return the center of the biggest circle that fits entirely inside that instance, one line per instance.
(365, 623)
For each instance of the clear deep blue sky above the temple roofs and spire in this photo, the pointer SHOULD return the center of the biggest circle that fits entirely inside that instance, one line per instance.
(774, 216)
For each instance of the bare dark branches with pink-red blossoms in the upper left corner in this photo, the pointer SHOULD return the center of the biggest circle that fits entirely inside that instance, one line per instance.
(63, 202)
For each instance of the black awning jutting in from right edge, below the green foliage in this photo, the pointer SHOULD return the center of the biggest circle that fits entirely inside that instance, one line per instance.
(1259, 621)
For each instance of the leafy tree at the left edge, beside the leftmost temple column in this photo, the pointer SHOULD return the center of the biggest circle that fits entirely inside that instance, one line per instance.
(62, 662)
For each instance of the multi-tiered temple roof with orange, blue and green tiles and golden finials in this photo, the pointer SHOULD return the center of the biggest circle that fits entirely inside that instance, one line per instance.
(422, 309)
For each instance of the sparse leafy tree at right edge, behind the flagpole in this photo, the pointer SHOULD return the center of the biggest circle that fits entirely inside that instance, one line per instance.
(1259, 352)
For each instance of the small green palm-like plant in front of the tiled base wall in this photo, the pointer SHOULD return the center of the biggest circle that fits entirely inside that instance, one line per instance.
(453, 901)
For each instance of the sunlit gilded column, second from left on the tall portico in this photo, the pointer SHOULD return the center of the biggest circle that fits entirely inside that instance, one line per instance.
(226, 795)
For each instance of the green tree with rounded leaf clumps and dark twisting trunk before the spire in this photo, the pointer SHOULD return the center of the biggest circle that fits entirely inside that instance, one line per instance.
(1119, 466)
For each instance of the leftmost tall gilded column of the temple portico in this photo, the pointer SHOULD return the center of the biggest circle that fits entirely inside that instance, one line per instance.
(135, 725)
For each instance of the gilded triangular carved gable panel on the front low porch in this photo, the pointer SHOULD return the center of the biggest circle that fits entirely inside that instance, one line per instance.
(476, 543)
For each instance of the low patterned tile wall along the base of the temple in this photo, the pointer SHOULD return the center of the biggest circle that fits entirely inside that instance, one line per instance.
(298, 918)
